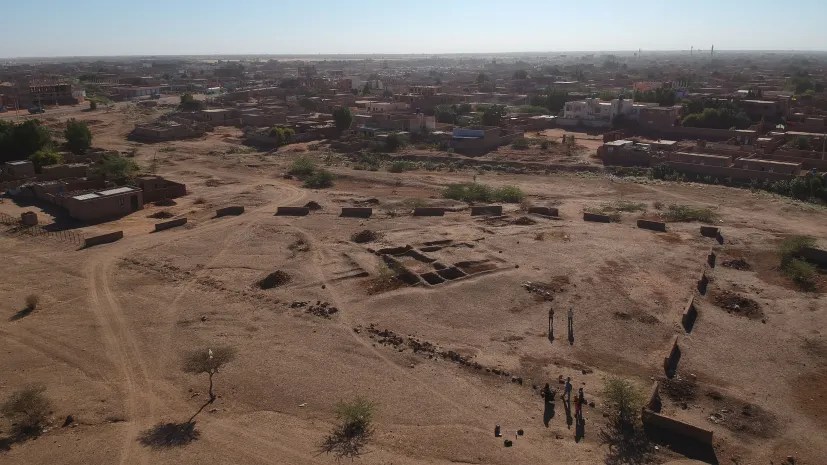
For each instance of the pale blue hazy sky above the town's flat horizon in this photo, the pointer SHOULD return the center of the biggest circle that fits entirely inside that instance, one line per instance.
(171, 27)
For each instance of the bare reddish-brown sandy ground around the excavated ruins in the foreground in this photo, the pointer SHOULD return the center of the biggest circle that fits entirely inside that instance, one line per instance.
(114, 320)
